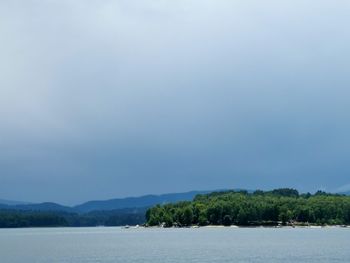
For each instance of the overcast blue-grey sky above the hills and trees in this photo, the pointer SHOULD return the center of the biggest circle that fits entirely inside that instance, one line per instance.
(105, 99)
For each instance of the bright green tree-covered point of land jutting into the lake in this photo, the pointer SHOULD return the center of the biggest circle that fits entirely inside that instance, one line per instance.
(280, 206)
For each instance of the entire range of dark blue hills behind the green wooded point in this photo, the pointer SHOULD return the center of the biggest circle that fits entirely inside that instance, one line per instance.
(114, 212)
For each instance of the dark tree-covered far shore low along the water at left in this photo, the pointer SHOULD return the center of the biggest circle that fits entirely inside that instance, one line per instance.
(16, 218)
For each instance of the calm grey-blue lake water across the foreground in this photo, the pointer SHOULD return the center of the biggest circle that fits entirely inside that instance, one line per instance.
(175, 245)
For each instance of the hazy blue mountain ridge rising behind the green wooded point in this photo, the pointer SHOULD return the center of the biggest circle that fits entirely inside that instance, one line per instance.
(136, 202)
